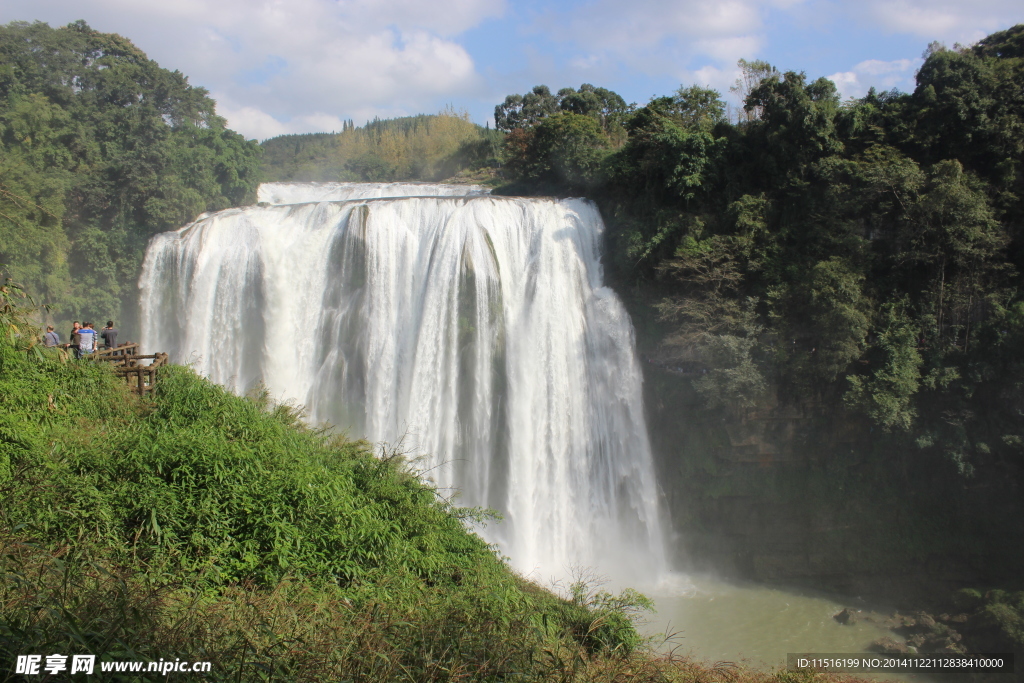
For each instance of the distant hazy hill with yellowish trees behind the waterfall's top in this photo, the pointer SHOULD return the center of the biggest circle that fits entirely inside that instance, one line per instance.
(418, 148)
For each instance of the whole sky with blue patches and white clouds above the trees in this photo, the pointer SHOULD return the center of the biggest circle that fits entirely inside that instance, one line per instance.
(305, 66)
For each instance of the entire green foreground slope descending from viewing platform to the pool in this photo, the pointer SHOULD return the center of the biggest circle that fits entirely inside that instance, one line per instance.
(205, 527)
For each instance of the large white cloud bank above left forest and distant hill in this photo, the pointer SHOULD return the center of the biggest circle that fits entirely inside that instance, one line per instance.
(273, 63)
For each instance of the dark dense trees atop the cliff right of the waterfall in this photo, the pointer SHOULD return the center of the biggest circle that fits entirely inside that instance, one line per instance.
(866, 255)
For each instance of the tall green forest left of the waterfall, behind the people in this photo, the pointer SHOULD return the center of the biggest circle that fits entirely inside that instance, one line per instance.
(100, 150)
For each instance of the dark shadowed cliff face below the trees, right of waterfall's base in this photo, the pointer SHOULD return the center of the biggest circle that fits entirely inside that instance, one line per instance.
(787, 494)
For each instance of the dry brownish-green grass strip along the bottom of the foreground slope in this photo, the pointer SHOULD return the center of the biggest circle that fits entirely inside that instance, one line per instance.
(295, 632)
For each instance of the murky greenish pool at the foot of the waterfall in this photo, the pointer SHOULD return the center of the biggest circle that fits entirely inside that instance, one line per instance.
(714, 621)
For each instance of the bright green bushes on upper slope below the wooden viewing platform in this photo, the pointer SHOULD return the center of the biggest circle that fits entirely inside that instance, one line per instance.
(203, 482)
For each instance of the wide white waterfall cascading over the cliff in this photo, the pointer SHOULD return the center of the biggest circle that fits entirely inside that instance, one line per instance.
(474, 329)
